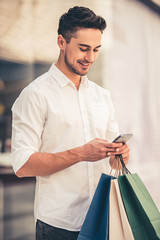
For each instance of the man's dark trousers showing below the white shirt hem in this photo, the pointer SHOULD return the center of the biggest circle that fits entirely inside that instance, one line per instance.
(47, 232)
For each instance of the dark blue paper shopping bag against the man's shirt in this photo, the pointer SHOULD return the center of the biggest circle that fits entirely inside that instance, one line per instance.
(95, 226)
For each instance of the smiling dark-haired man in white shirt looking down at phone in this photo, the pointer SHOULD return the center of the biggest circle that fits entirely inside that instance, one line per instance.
(63, 126)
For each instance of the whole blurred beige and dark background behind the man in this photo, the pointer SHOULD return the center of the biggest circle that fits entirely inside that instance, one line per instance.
(128, 65)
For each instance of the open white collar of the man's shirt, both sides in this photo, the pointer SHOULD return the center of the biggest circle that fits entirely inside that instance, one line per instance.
(62, 79)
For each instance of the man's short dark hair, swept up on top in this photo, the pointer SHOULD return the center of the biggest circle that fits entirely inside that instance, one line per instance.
(79, 17)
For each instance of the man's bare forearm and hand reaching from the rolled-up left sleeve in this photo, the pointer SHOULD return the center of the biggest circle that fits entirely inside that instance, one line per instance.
(41, 164)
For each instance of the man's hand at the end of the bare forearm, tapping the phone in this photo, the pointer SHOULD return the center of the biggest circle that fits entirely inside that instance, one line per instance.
(98, 149)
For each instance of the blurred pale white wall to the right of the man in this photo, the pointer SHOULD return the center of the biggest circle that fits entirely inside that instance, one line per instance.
(131, 72)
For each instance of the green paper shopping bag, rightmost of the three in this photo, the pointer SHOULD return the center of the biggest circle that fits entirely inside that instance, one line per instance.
(143, 215)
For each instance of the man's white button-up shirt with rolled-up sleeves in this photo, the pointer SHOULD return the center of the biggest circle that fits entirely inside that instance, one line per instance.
(51, 115)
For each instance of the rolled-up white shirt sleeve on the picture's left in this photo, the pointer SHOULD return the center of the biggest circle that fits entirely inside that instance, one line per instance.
(28, 119)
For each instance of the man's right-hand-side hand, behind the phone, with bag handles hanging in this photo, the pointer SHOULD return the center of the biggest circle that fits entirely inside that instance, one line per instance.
(124, 150)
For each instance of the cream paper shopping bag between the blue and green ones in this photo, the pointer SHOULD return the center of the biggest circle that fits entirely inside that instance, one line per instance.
(119, 228)
